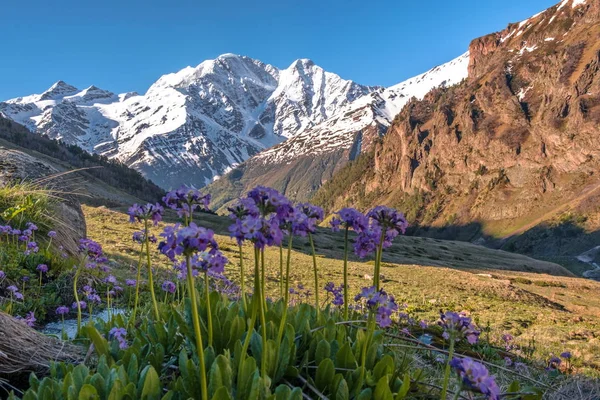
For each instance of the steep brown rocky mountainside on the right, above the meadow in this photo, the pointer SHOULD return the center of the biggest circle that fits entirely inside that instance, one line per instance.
(508, 155)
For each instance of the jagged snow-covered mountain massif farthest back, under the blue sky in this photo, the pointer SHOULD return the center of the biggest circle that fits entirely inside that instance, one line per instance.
(193, 125)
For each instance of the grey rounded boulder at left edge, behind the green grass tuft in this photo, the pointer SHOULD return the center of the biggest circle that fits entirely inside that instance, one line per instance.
(17, 166)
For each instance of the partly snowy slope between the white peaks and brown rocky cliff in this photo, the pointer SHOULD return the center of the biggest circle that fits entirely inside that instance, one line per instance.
(300, 165)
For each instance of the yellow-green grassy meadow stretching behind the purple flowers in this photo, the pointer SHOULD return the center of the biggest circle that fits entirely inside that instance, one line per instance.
(498, 289)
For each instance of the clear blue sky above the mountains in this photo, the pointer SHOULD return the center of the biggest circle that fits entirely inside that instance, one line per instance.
(125, 45)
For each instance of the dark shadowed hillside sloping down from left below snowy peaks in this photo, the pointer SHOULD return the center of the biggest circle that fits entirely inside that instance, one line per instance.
(96, 179)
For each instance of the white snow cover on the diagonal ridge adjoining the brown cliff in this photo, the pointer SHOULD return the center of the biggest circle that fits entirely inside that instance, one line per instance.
(376, 109)
